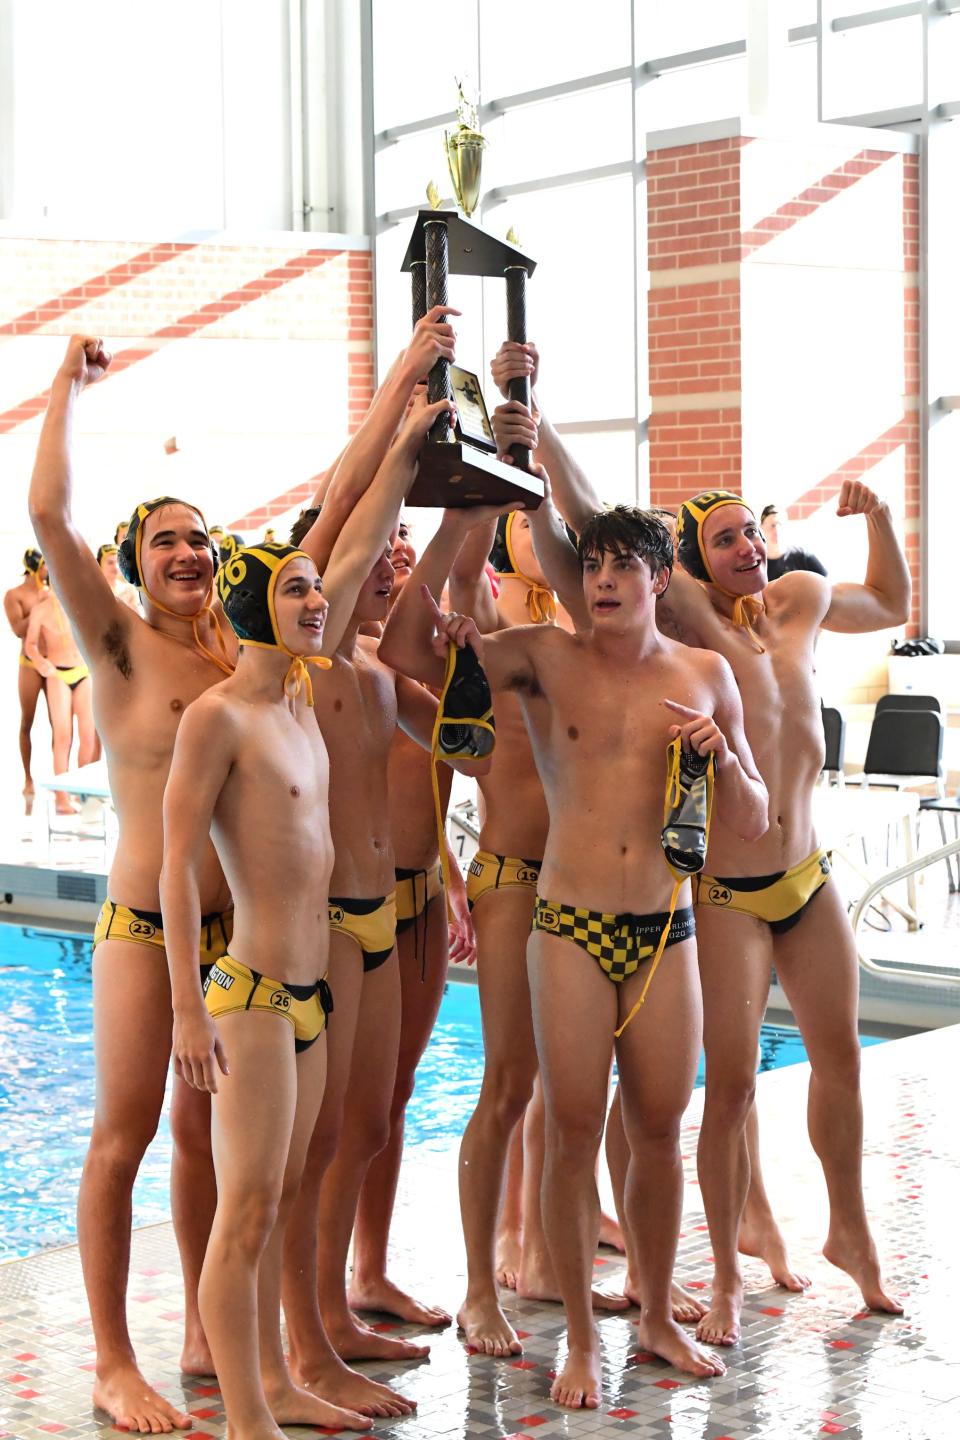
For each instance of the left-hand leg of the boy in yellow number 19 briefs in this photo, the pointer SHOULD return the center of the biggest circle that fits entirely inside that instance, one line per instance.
(510, 1063)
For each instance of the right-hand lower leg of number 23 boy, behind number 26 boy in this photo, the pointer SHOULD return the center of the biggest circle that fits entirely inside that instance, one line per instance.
(194, 1202)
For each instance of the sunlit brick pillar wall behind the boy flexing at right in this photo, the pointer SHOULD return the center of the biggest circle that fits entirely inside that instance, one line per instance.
(748, 388)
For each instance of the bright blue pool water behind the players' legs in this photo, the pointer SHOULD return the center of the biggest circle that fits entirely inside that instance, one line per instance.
(47, 1088)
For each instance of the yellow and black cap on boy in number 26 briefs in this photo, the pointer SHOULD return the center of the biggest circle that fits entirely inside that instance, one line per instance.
(248, 584)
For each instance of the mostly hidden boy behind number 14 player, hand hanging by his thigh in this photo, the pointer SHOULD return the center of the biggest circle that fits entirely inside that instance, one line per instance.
(424, 945)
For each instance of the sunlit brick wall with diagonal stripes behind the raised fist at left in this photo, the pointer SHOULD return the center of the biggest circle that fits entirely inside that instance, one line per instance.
(224, 333)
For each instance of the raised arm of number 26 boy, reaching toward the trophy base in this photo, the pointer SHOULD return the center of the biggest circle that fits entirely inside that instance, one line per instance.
(368, 529)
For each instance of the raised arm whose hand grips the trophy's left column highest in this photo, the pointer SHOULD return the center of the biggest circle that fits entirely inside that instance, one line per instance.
(353, 472)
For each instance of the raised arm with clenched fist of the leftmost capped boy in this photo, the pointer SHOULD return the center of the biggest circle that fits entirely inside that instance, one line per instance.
(74, 571)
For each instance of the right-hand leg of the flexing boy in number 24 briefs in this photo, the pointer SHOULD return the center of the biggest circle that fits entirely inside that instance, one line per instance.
(817, 964)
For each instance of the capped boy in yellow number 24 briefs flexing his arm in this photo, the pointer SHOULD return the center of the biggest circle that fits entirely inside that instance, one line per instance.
(774, 904)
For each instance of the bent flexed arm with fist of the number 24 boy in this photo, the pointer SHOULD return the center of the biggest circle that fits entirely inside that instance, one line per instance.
(884, 597)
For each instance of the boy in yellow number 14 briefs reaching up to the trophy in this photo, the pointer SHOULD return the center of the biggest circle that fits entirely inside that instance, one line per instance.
(359, 709)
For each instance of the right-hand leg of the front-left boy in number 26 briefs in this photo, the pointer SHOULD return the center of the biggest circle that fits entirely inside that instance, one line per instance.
(291, 1405)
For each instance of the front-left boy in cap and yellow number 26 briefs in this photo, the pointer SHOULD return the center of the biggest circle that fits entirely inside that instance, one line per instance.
(250, 770)
